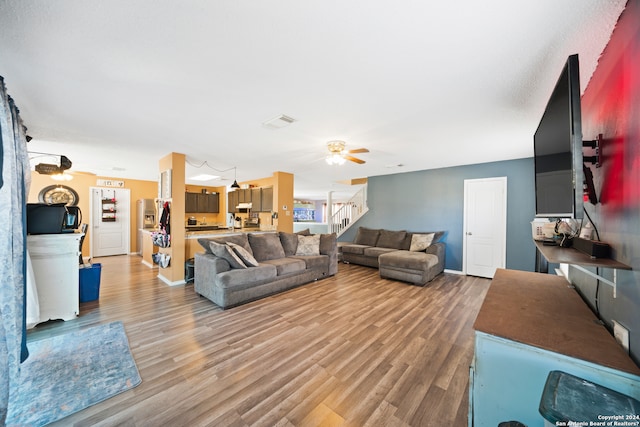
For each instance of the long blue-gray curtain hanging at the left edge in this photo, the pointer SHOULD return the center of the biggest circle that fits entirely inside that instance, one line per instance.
(14, 188)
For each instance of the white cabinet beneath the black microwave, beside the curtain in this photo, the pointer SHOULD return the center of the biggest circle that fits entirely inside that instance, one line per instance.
(55, 267)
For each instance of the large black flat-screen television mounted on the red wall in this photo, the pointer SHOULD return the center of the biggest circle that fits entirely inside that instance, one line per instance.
(558, 149)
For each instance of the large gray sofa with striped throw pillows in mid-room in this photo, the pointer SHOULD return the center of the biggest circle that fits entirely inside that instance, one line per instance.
(239, 268)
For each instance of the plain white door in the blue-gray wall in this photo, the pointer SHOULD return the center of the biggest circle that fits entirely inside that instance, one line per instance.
(485, 226)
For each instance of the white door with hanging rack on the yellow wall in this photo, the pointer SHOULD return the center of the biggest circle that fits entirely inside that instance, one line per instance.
(110, 221)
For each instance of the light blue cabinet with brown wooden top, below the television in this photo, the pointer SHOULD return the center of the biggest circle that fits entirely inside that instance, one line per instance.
(530, 324)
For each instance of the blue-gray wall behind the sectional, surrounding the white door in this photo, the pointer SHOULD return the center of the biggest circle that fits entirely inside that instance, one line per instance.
(433, 200)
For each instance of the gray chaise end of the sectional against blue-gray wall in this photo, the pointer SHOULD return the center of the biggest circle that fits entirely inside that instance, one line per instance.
(413, 267)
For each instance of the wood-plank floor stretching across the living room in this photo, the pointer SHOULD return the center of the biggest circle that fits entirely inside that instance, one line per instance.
(351, 350)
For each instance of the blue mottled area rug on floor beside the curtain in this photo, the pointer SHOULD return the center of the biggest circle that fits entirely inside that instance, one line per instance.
(70, 372)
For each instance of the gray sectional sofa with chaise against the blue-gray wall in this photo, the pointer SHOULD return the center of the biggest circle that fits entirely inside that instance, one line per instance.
(414, 257)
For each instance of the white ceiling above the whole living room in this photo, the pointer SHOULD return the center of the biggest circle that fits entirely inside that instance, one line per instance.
(116, 85)
